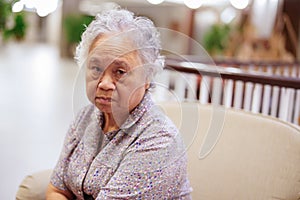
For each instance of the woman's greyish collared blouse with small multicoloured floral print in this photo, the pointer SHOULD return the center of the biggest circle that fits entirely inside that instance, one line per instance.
(144, 159)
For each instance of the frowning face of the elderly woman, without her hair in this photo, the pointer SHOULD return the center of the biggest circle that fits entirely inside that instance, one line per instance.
(115, 77)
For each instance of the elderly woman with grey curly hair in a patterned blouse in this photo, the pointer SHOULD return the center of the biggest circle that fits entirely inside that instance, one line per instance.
(121, 146)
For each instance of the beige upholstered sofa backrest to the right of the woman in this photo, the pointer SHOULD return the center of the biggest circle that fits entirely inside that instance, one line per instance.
(252, 156)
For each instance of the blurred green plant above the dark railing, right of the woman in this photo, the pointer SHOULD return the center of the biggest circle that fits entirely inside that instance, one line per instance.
(215, 40)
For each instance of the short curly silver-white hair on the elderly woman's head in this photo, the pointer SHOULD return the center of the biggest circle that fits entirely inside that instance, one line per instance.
(142, 32)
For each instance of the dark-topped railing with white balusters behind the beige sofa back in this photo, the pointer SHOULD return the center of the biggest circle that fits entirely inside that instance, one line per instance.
(247, 87)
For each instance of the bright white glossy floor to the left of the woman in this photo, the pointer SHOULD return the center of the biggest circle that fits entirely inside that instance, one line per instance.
(37, 102)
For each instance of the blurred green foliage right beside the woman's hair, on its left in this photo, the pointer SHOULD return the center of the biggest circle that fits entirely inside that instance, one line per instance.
(75, 26)
